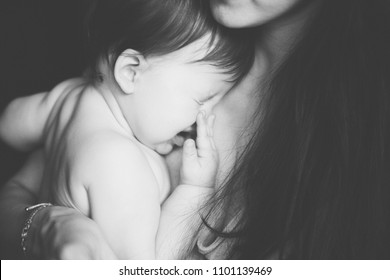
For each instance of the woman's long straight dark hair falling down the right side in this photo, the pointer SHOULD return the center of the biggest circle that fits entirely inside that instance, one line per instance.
(314, 183)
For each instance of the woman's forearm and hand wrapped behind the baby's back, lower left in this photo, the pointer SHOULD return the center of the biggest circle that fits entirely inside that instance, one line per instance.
(56, 232)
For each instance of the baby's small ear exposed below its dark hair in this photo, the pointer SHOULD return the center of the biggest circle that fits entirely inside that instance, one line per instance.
(128, 67)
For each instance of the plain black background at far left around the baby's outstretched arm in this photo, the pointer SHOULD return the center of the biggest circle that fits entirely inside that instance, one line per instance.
(40, 45)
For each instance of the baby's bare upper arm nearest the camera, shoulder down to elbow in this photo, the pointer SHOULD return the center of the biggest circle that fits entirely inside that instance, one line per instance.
(123, 196)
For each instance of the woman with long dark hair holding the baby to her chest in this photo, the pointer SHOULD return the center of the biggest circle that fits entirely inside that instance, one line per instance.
(310, 177)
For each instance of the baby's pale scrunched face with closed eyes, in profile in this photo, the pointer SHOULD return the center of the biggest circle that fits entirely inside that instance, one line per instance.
(170, 93)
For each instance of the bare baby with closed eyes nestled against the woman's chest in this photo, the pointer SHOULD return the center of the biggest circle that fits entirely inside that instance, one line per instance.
(157, 68)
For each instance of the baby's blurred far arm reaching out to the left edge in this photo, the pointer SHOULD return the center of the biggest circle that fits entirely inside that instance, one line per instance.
(23, 121)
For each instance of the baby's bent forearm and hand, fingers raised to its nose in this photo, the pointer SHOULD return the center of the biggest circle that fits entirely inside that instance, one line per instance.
(181, 211)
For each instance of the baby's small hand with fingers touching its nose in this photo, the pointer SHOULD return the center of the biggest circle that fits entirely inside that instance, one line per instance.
(200, 162)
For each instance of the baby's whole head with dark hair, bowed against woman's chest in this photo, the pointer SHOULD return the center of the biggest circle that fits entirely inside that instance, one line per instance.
(167, 59)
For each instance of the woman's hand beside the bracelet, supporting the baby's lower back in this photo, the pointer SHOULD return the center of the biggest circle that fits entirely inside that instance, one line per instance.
(64, 233)
